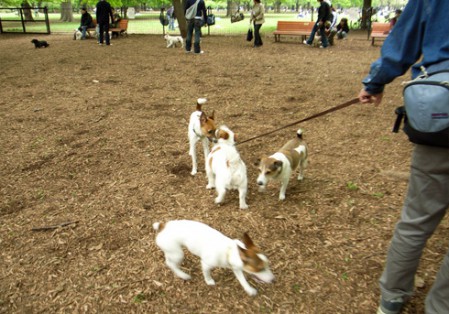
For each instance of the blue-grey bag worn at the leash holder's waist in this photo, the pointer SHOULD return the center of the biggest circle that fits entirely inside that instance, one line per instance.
(426, 112)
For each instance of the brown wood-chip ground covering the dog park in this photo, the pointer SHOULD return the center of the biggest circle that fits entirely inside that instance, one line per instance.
(96, 137)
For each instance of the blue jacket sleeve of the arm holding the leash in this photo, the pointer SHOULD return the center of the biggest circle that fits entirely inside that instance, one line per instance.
(401, 49)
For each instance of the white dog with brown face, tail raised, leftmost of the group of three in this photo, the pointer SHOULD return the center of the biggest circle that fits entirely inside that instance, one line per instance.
(201, 128)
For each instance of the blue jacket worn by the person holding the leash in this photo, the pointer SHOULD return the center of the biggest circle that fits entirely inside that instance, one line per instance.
(421, 31)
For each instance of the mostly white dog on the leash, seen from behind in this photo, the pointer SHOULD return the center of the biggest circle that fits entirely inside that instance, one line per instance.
(225, 169)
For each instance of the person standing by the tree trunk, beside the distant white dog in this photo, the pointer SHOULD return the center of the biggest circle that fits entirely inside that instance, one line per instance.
(196, 15)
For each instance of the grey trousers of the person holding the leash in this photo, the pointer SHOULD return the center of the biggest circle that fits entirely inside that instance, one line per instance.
(425, 205)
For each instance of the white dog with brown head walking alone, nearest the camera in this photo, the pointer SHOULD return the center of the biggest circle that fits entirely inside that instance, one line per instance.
(215, 250)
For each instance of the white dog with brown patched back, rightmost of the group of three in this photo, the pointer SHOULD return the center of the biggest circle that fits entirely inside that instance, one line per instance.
(280, 165)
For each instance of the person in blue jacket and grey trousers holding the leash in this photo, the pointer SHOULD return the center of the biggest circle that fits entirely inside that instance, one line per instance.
(420, 35)
